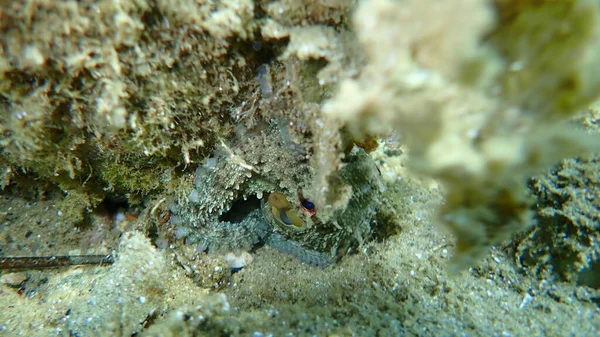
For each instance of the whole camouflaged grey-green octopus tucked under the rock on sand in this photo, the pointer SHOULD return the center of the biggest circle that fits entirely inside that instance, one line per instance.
(260, 188)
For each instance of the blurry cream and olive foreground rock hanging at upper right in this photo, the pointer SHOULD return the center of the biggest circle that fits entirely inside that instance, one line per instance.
(478, 100)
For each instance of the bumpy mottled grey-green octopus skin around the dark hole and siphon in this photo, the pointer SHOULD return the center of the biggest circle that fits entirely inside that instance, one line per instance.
(223, 212)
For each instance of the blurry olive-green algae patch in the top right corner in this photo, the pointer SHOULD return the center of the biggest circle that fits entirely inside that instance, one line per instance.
(549, 48)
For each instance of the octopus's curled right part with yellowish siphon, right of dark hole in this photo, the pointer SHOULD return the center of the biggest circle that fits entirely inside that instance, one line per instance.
(297, 229)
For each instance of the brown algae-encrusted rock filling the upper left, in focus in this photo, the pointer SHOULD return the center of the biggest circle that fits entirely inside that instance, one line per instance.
(111, 97)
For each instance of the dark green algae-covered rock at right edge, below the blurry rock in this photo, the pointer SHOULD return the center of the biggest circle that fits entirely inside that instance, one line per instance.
(565, 240)
